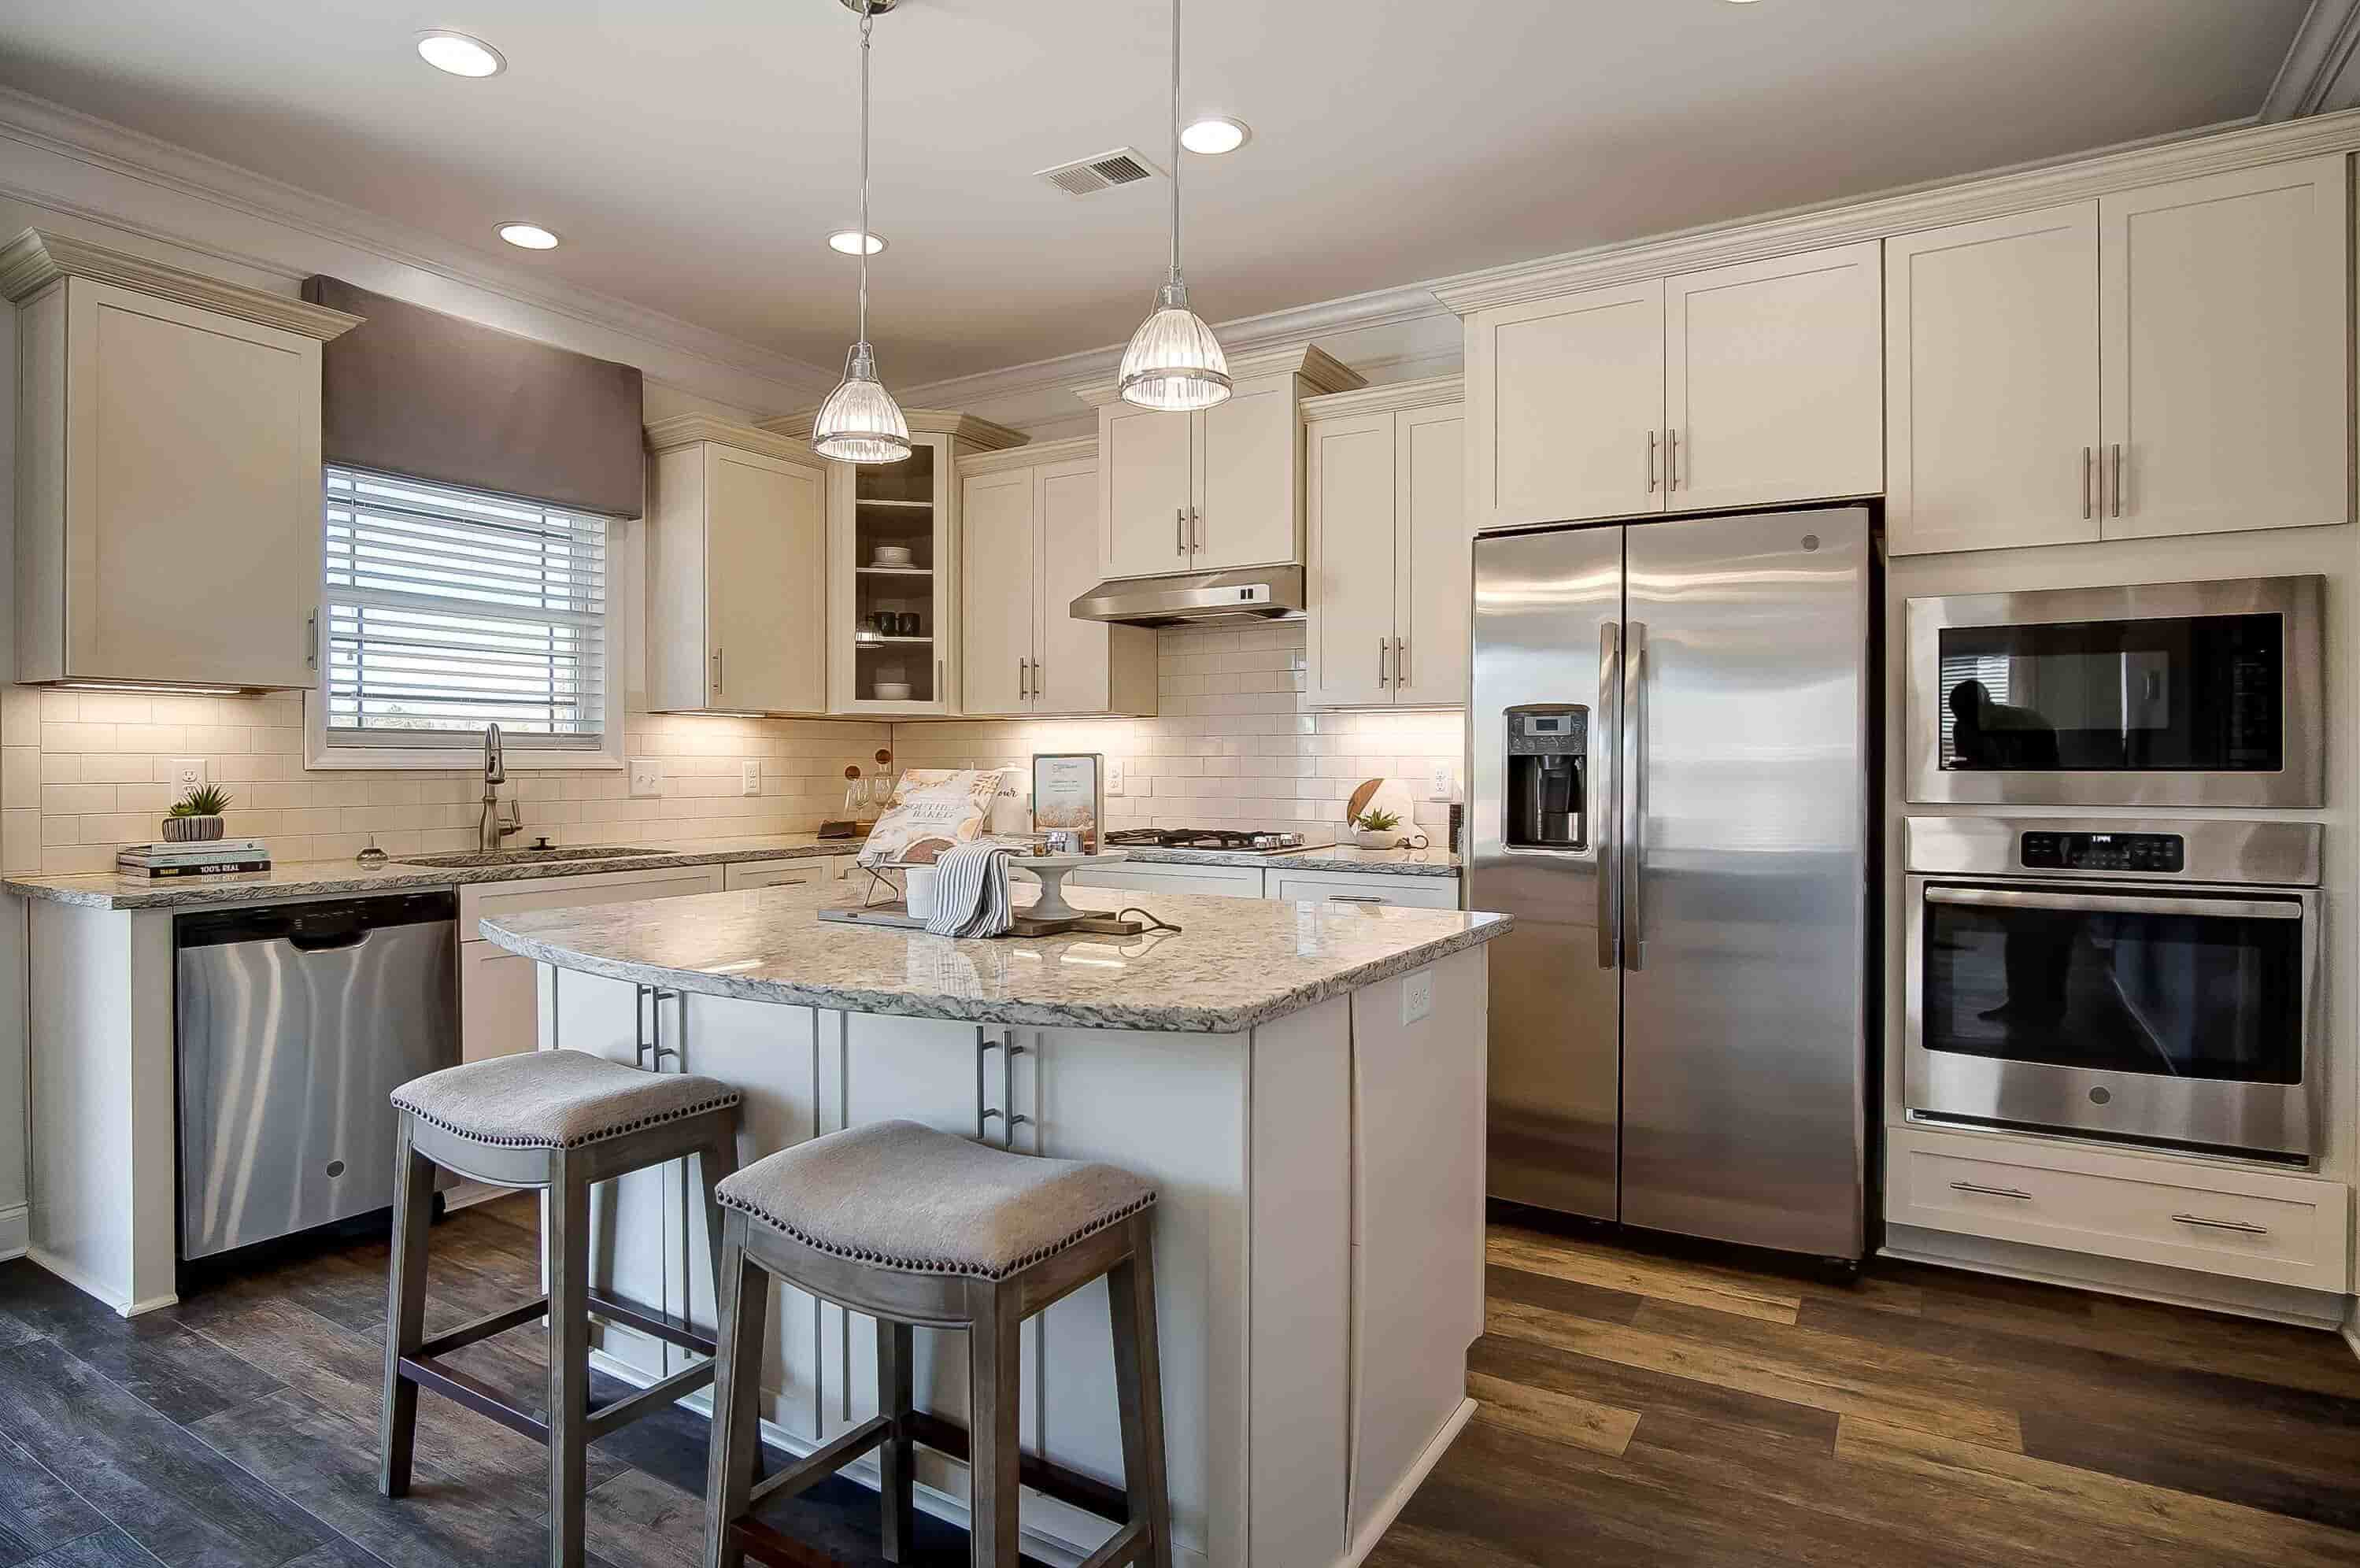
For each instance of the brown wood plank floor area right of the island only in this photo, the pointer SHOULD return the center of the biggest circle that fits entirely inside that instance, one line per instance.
(1674, 1406)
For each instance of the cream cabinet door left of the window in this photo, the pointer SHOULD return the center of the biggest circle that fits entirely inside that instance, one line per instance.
(192, 544)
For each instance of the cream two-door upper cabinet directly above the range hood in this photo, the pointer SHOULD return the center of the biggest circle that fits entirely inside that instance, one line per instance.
(1209, 490)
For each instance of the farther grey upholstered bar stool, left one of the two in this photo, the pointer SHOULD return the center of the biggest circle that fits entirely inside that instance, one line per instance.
(551, 1121)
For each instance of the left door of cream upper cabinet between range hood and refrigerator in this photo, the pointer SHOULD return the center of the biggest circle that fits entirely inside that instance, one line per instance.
(1351, 488)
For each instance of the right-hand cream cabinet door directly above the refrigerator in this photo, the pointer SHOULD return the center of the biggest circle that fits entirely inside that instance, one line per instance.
(1776, 379)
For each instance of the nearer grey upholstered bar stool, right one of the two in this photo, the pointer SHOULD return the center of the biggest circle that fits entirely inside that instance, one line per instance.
(917, 1227)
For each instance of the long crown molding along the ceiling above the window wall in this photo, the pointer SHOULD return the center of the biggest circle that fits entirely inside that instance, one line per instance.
(119, 150)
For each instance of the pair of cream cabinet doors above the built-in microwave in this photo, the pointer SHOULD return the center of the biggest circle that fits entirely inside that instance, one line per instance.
(2168, 360)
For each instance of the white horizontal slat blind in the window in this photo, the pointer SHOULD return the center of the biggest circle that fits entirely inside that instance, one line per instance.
(447, 610)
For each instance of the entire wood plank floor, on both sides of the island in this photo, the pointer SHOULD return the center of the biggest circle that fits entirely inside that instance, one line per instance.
(1637, 1409)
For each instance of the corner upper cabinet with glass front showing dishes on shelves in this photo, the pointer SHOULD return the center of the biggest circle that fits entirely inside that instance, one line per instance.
(893, 568)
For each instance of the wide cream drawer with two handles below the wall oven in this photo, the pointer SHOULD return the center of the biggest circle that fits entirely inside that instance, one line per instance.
(2139, 1208)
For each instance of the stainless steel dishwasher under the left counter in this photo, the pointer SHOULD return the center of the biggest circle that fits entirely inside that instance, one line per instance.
(296, 1024)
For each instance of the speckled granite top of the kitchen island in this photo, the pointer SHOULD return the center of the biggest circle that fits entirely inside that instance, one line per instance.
(1233, 967)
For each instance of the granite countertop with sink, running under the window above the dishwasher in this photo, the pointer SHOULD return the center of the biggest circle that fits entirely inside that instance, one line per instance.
(317, 877)
